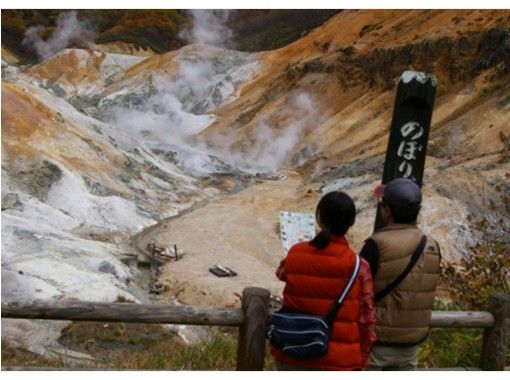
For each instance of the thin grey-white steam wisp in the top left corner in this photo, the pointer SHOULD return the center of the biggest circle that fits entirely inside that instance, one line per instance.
(69, 30)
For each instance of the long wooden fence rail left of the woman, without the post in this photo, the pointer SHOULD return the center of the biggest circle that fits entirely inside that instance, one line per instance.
(126, 312)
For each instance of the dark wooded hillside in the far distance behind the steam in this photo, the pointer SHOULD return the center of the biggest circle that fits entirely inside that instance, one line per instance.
(158, 29)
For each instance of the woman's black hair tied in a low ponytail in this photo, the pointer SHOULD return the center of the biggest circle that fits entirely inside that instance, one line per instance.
(336, 212)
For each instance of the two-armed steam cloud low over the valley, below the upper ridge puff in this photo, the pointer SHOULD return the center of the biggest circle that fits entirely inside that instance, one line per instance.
(169, 121)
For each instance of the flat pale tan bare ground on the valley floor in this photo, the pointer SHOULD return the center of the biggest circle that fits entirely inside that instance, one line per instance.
(238, 231)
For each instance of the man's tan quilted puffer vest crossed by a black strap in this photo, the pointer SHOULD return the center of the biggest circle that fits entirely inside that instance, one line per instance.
(404, 314)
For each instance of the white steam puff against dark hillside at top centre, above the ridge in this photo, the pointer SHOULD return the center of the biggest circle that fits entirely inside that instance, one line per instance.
(209, 27)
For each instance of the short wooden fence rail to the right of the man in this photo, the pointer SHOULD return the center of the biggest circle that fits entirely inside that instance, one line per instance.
(481, 319)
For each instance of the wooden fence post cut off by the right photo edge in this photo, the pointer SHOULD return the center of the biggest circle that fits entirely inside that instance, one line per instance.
(497, 338)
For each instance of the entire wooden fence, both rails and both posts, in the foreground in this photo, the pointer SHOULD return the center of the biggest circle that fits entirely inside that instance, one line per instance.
(252, 321)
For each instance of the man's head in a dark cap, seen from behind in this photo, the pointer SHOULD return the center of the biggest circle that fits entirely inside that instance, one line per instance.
(401, 201)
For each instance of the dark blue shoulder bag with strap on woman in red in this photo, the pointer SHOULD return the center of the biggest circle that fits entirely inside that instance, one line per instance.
(306, 336)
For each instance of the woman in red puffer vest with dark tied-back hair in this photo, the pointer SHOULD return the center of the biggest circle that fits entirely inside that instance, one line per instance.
(315, 273)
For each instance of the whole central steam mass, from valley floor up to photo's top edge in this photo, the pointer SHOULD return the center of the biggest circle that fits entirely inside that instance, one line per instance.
(171, 118)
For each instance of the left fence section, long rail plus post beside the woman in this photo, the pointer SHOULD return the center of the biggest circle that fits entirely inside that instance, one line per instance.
(251, 318)
